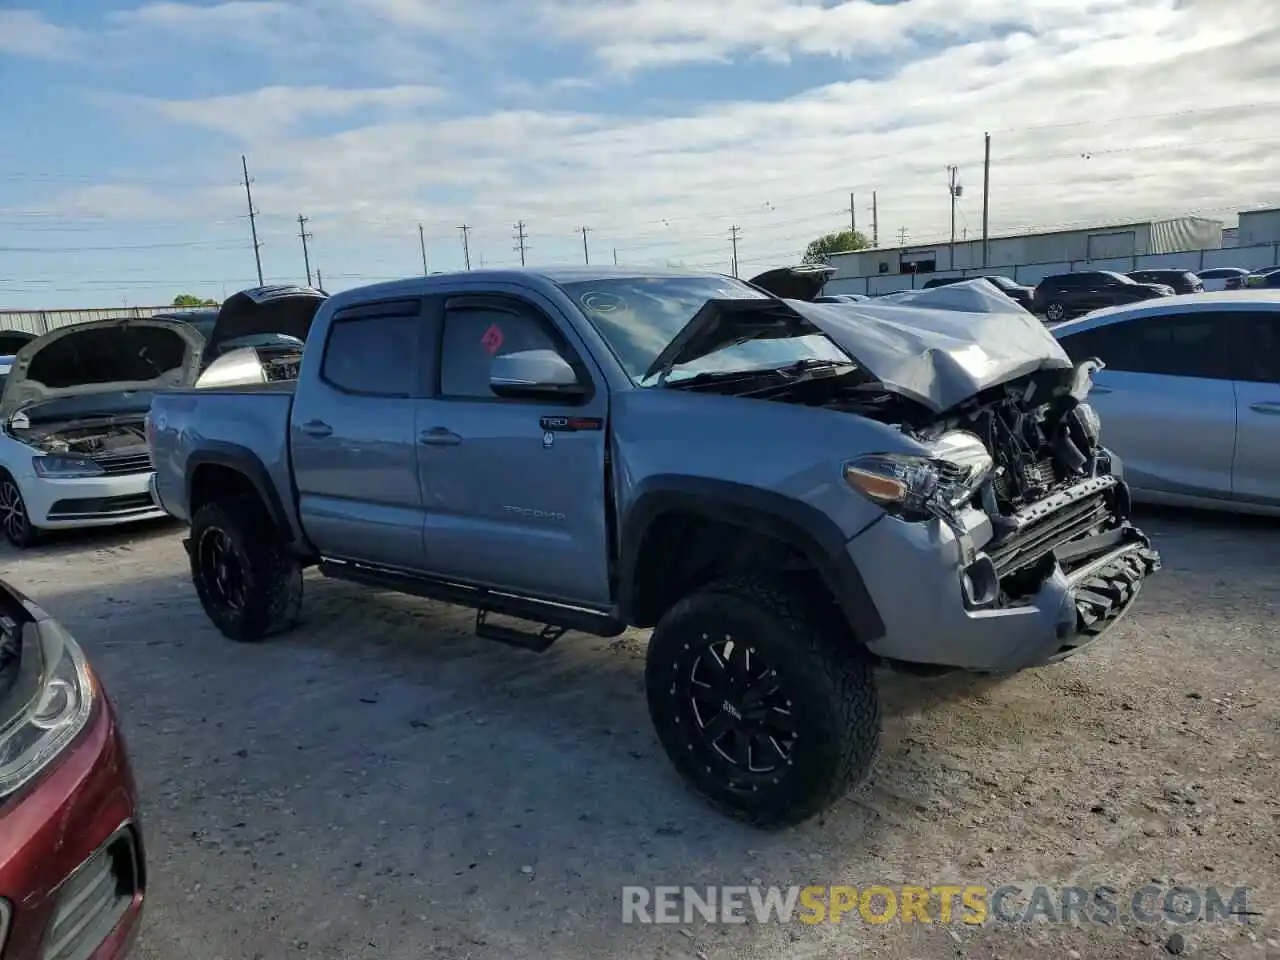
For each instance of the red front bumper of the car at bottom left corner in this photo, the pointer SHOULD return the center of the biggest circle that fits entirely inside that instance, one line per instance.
(71, 853)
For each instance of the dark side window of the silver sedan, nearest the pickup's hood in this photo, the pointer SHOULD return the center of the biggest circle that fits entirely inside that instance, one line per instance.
(1195, 345)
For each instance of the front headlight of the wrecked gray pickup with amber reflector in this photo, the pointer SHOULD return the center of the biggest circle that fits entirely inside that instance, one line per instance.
(922, 487)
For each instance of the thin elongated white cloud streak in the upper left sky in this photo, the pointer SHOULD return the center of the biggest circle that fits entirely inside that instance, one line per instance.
(271, 111)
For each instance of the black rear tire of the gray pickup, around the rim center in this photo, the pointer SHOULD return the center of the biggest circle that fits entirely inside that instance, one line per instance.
(272, 575)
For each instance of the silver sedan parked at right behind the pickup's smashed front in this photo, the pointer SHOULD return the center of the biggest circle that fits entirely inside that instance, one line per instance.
(1191, 396)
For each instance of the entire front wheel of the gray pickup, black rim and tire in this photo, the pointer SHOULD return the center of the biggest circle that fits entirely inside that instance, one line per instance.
(766, 706)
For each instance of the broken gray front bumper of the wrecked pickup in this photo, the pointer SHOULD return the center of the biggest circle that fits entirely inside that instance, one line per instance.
(939, 597)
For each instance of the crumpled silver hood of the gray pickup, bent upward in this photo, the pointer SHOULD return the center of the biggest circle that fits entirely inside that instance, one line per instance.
(939, 350)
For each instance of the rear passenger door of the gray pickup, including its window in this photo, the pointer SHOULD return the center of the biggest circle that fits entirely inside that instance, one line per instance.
(354, 444)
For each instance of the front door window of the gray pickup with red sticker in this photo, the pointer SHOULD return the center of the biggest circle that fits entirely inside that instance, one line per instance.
(474, 336)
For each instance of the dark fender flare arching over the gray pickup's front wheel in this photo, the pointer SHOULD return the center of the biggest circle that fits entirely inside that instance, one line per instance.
(794, 523)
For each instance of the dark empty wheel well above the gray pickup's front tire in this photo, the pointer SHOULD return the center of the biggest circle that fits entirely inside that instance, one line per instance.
(682, 552)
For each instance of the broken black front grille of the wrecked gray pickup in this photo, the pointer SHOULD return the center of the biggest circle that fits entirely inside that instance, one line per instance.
(1045, 527)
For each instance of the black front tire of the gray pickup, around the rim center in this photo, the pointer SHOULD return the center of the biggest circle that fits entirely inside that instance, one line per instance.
(825, 673)
